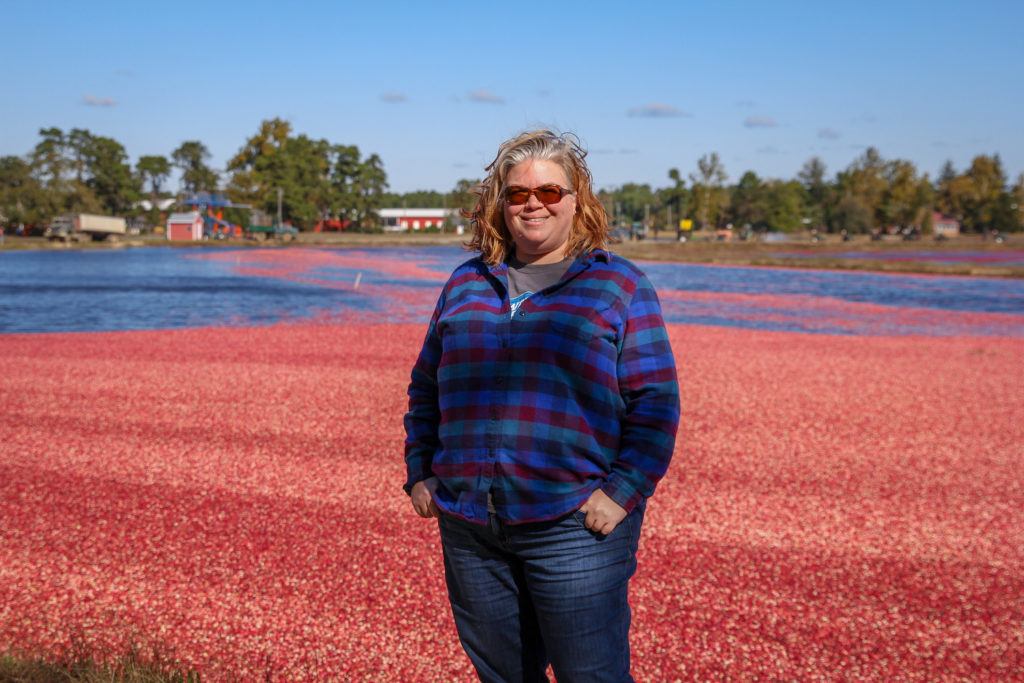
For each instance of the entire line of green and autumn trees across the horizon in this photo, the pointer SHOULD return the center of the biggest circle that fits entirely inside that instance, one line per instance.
(78, 172)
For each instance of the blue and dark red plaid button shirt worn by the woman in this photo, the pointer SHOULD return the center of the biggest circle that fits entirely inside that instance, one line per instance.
(577, 392)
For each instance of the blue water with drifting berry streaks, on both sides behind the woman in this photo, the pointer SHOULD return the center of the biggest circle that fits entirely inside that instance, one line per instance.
(162, 288)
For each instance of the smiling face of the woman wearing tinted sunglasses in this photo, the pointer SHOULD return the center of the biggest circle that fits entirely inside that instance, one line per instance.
(541, 232)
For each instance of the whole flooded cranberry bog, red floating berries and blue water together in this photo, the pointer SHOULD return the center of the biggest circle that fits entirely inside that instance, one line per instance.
(207, 471)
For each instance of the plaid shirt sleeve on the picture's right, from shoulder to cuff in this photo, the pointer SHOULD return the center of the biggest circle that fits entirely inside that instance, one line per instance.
(650, 388)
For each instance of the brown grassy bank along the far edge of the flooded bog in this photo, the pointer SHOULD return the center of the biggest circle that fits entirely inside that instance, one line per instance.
(824, 255)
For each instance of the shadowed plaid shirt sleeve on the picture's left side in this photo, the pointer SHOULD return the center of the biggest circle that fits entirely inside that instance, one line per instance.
(423, 419)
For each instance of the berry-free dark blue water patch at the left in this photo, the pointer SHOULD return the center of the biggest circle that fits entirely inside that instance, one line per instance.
(144, 289)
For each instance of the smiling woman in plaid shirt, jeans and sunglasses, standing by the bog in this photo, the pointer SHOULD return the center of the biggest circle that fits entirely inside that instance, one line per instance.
(543, 412)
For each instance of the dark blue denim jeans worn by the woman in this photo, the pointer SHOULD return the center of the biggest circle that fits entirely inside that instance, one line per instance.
(527, 595)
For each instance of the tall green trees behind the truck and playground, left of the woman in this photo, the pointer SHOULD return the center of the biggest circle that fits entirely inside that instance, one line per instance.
(80, 173)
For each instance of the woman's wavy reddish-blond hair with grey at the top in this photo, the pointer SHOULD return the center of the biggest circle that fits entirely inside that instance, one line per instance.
(590, 224)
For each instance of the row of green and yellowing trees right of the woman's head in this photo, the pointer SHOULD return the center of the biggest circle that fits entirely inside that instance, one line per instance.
(872, 194)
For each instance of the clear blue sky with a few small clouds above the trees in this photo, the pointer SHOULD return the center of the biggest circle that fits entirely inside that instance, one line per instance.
(434, 89)
